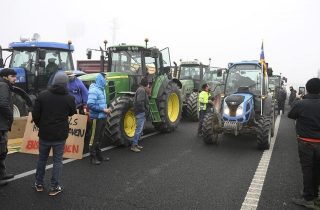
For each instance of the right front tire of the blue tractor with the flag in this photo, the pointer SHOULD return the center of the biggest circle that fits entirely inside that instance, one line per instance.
(264, 133)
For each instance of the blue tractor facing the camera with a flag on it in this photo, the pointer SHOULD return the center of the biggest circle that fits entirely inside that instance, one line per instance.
(245, 107)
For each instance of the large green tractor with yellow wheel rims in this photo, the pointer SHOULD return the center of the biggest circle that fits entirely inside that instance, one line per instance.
(127, 65)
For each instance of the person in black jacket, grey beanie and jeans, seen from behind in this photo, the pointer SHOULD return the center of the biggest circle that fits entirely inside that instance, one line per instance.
(50, 114)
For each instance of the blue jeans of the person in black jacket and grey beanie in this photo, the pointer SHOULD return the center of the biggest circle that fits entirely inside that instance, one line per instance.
(44, 150)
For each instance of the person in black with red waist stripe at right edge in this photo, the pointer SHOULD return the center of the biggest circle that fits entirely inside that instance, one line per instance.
(306, 112)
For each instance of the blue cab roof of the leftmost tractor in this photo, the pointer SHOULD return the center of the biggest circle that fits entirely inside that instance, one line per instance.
(47, 45)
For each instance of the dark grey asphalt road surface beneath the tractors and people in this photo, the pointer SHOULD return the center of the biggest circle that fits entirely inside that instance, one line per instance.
(174, 171)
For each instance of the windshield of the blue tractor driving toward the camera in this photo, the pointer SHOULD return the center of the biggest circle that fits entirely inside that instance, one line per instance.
(244, 75)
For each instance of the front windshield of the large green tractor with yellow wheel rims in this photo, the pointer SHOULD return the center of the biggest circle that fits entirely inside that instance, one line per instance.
(126, 61)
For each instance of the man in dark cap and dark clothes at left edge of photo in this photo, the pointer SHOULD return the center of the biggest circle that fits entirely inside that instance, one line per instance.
(7, 79)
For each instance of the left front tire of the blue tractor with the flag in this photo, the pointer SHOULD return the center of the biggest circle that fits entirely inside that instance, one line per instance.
(209, 134)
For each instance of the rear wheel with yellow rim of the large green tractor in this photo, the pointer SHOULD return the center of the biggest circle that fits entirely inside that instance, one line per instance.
(169, 120)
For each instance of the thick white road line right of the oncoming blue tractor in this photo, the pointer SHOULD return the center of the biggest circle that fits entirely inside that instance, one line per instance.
(253, 195)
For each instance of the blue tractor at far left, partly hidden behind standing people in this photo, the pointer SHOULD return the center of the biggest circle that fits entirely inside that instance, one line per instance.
(35, 62)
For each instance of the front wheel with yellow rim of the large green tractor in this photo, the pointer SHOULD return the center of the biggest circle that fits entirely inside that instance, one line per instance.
(116, 127)
